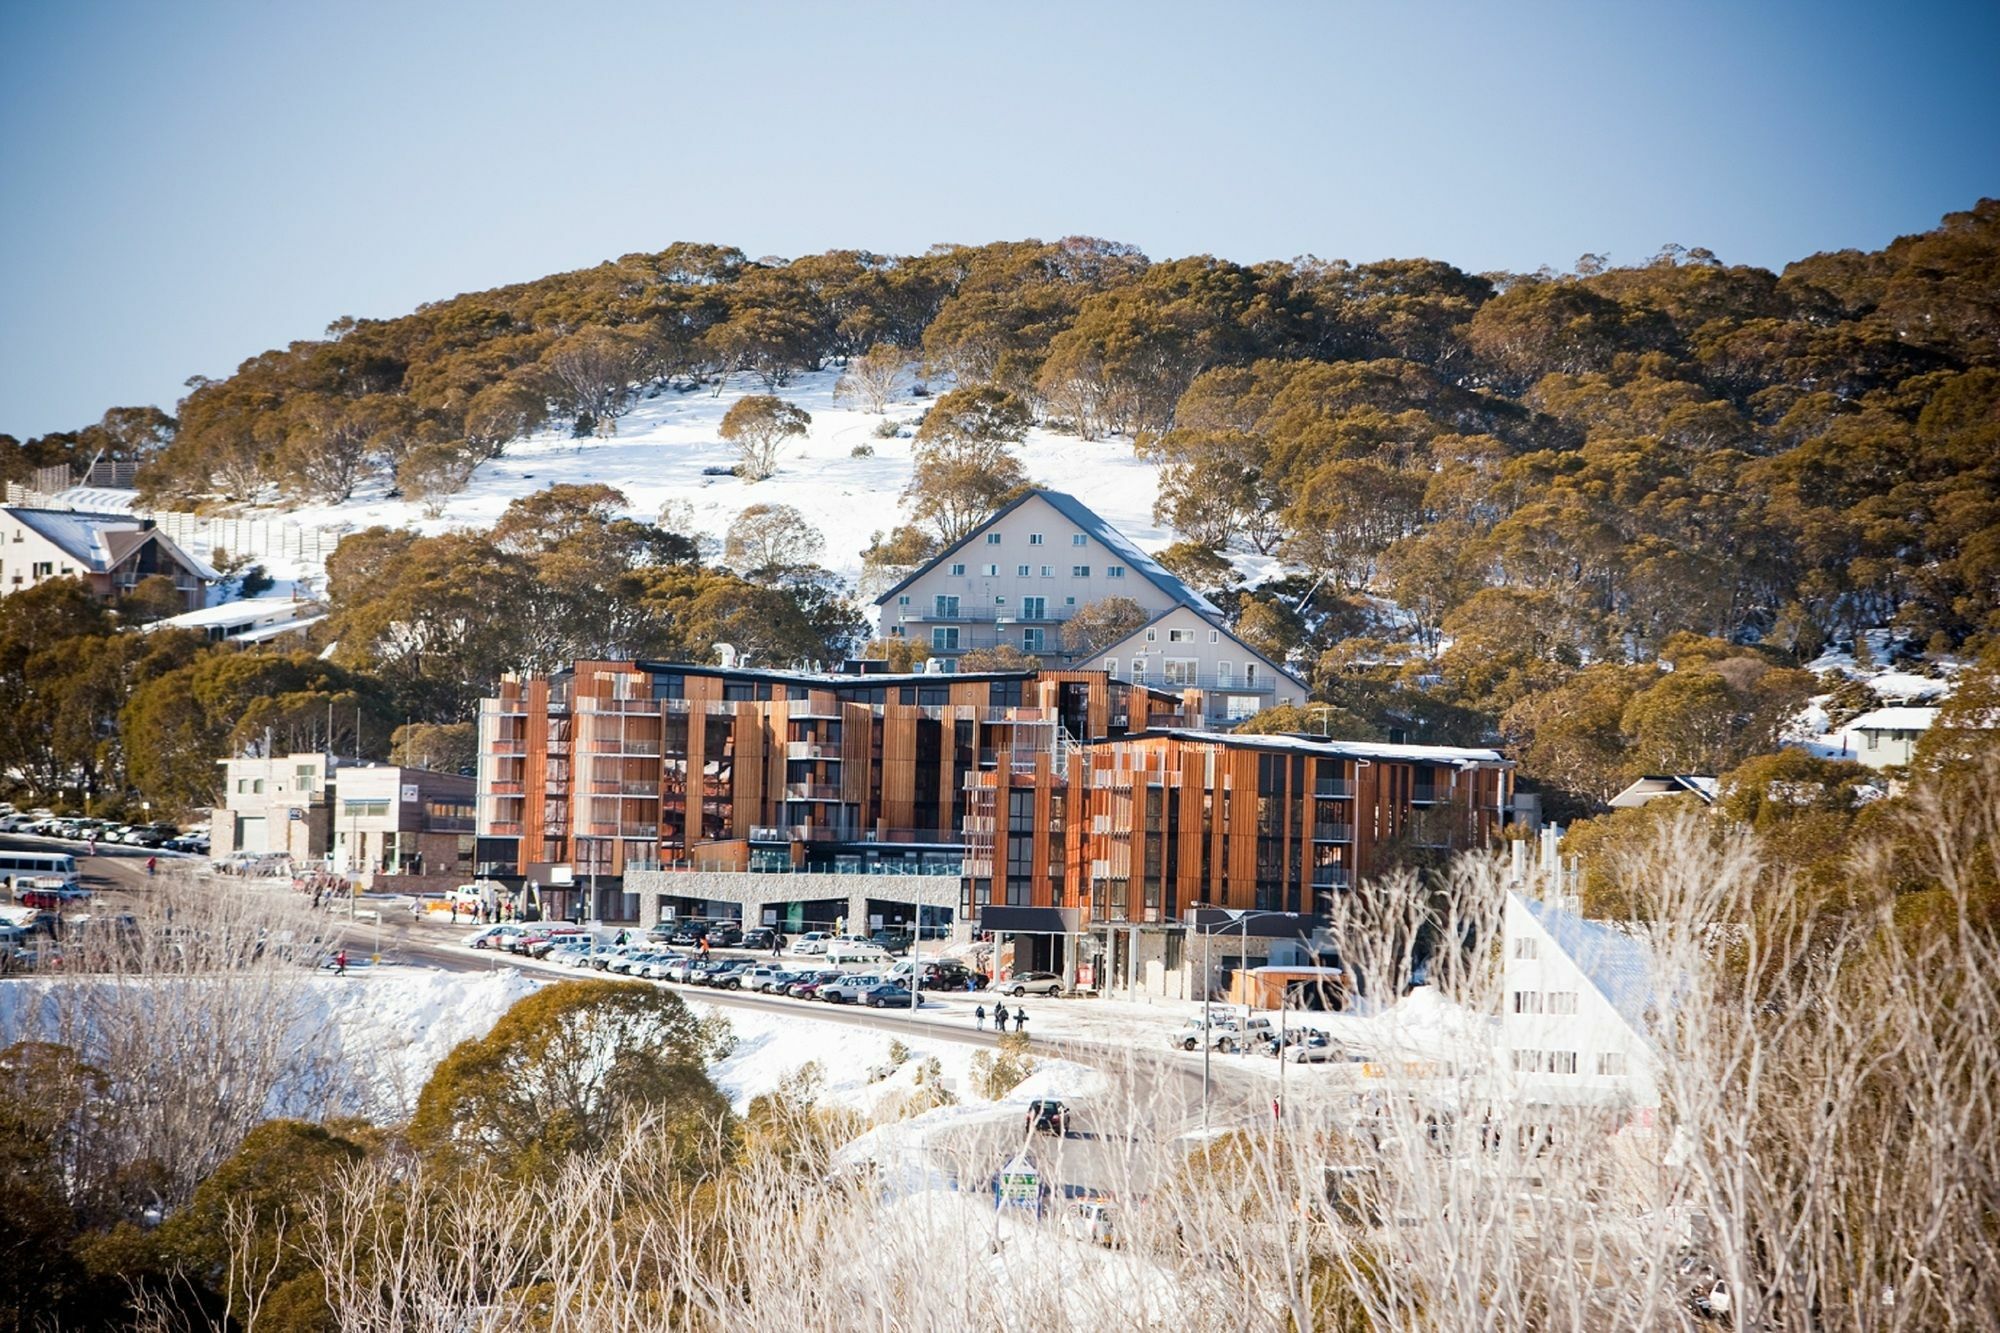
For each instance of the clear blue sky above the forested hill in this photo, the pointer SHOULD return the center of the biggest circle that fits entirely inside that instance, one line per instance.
(187, 185)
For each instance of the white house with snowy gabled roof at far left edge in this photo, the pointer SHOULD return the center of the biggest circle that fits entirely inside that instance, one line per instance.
(111, 553)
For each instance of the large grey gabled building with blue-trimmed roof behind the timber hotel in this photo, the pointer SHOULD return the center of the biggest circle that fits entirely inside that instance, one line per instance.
(1021, 575)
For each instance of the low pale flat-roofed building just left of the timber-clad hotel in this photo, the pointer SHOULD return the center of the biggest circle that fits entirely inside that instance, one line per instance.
(347, 818)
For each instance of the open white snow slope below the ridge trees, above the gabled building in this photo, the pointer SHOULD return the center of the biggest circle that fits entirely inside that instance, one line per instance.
(667, 443)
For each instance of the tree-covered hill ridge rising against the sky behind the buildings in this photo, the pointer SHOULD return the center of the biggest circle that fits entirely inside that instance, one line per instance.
(1597, 459)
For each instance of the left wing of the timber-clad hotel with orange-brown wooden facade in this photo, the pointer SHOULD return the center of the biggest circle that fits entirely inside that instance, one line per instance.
(617, 766)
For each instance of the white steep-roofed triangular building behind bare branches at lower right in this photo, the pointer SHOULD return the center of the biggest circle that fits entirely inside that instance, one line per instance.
(1577, 1012)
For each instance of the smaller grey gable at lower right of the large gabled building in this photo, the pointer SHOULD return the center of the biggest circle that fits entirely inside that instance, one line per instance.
(1185, 651)
